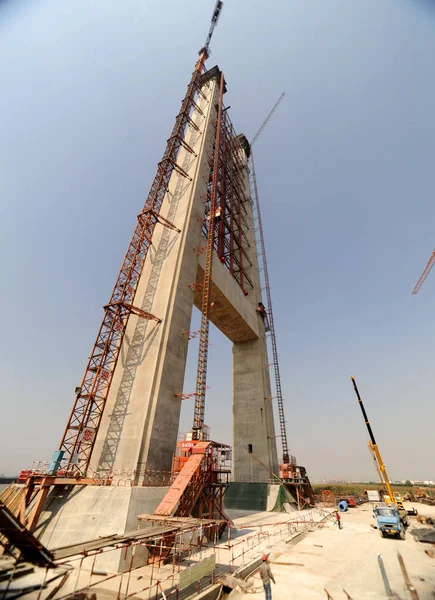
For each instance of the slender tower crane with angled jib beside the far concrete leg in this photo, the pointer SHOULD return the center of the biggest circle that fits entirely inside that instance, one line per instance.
(278, 388)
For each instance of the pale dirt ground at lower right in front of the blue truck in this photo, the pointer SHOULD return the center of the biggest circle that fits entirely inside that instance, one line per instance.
(348, 558)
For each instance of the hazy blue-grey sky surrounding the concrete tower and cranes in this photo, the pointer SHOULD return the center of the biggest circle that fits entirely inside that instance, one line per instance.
(346, 178)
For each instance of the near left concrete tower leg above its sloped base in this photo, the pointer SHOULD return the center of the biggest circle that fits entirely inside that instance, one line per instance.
(140, 424)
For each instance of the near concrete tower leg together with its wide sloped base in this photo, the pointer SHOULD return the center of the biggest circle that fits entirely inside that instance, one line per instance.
(139, 427)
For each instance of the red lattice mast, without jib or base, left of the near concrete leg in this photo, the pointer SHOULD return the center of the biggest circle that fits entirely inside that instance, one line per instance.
(85, 418)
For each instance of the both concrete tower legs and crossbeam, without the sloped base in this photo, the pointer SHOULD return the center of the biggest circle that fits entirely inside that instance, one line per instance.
(140, 423)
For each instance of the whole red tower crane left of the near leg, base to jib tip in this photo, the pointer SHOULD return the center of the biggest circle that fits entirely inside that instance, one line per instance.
(70, 463)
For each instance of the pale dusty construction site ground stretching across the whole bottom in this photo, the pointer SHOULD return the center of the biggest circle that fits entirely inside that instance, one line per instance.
(308, 554)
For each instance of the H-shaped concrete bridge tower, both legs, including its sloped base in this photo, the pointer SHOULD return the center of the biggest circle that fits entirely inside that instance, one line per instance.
(138, 431)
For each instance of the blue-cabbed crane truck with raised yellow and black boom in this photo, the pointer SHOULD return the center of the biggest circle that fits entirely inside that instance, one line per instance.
(391, 516)
